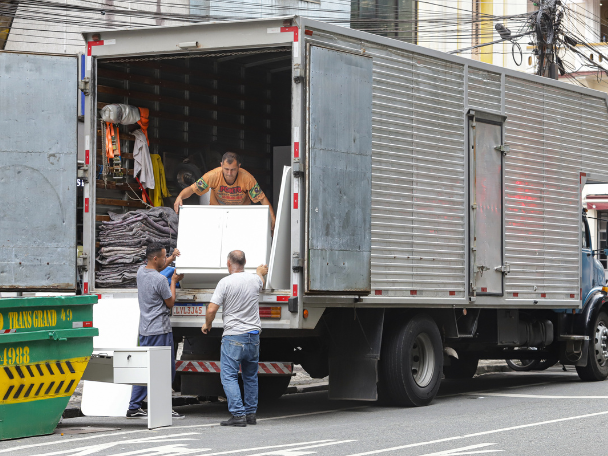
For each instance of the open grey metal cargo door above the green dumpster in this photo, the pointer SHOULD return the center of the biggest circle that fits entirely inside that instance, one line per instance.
(38, 153)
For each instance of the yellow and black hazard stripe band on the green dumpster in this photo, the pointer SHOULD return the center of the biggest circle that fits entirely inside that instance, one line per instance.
(44, 380)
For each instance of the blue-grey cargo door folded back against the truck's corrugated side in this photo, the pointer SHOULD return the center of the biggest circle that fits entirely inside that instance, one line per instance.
(339, 171)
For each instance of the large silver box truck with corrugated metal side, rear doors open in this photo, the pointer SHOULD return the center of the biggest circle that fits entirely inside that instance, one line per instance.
(435, 213)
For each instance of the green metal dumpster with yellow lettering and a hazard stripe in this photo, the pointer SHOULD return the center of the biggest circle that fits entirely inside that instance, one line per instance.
(45, 346)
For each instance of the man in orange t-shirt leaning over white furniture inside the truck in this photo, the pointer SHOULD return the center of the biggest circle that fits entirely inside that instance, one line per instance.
(229, 185)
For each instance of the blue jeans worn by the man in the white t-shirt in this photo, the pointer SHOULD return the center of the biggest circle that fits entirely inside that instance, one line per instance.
(241, 350)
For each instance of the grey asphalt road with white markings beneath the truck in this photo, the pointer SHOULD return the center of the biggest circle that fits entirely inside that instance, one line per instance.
(551, 412)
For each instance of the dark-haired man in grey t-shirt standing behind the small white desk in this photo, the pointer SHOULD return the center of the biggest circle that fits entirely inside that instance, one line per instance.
(156, 298)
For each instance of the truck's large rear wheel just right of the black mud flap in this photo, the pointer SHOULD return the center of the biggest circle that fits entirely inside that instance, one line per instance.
(412, 362)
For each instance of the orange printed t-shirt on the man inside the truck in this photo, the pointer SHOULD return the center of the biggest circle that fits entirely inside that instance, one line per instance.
(244, 190)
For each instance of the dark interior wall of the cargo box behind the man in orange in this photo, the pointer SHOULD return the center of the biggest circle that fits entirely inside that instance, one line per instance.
(200, 108)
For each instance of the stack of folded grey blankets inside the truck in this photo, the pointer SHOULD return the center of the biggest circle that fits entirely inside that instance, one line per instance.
(123, 242)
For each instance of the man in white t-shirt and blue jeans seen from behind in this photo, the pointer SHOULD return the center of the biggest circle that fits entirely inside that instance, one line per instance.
(239, 294)
